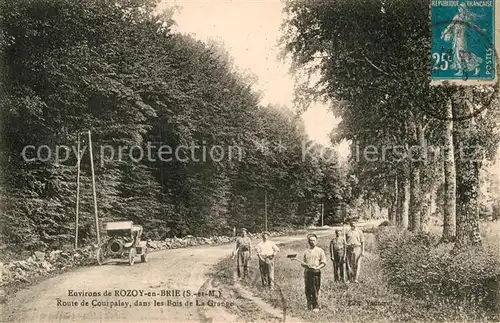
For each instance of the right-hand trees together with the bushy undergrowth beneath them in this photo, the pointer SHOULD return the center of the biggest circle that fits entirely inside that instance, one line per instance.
(414, 146)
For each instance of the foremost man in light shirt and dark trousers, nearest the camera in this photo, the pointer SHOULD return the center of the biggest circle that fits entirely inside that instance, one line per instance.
(314, 260)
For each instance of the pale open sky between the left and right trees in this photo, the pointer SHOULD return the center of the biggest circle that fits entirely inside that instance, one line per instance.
(250, 30)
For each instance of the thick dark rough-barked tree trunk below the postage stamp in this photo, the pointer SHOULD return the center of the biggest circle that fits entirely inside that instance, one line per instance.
(468, 162)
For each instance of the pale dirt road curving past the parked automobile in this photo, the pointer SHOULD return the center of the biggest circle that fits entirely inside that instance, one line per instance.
(178, 274)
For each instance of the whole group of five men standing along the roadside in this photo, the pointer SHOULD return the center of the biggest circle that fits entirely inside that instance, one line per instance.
(346, 251)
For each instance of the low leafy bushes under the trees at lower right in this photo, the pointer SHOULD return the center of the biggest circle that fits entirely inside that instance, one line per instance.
(414, 264)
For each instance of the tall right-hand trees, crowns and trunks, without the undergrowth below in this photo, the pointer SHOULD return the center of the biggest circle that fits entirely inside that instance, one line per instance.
(403, 131)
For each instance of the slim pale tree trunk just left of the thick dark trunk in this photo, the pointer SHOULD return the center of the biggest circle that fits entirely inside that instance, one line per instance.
(449, 203)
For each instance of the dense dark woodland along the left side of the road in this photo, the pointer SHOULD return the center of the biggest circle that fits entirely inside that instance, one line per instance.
(115, 68)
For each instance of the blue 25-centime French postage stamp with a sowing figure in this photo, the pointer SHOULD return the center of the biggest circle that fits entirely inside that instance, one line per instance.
(463, 42)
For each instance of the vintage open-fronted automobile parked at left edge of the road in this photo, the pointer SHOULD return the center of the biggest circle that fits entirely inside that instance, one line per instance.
(123, 242)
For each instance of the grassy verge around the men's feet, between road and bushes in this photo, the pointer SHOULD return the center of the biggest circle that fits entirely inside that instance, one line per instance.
(370, 300)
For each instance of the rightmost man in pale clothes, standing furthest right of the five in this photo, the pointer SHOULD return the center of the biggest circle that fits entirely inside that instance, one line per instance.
(355, 240)
